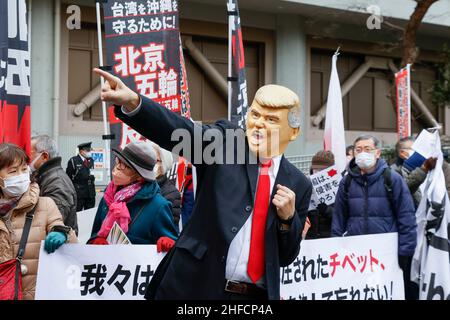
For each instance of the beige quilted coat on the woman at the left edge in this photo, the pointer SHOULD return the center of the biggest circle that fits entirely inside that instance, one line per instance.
(45, 218)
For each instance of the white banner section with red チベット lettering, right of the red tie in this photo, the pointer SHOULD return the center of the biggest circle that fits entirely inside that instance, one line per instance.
(345, 268)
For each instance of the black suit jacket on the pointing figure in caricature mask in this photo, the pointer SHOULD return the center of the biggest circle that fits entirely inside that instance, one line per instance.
(195, 267)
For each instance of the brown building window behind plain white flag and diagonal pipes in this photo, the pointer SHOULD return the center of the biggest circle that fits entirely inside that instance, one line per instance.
(367, 106)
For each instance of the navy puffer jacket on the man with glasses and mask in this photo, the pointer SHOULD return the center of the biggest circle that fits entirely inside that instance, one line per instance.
(369, 209)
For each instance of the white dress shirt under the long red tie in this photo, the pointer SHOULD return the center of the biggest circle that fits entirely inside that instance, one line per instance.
(237, 259)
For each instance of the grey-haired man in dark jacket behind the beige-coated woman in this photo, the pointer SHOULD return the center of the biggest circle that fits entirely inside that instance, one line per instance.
(53, 181)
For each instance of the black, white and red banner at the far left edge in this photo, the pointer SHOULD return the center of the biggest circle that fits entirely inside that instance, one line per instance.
(15, 126)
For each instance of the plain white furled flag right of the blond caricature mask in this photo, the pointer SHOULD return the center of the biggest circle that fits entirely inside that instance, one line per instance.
(334, 135)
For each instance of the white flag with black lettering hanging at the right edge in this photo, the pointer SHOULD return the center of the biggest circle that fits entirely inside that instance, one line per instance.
(431, 265)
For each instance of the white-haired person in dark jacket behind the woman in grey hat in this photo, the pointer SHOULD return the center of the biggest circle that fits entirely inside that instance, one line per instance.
(164, 163)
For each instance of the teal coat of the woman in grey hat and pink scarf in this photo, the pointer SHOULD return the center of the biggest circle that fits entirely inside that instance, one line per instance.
(151, 217)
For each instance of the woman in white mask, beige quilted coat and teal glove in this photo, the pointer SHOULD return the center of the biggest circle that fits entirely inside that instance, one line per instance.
(19, 196)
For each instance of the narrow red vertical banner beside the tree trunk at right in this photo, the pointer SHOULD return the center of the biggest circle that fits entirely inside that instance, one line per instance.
(403, 99)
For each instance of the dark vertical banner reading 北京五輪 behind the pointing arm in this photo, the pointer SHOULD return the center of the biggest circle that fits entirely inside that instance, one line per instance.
(144, 50)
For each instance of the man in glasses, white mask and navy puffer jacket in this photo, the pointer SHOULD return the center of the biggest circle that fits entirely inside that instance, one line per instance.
(373, 199)
